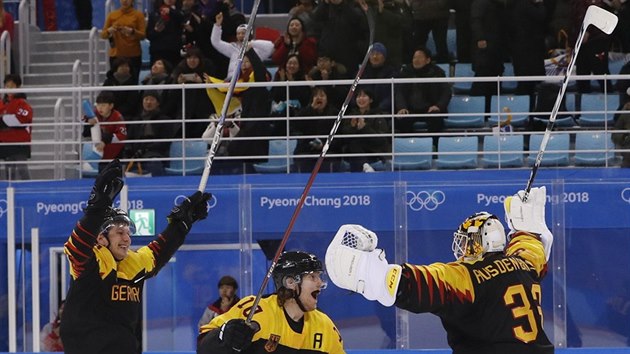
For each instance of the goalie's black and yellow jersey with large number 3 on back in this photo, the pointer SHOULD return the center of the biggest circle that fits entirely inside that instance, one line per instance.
(492, 305)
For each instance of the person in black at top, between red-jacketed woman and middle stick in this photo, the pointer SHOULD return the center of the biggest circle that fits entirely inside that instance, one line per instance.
(344, 32)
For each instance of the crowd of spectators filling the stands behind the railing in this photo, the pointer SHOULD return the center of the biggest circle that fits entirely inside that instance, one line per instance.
(198, 41)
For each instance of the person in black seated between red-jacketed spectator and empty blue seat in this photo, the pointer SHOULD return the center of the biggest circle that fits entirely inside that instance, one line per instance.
(149, 129)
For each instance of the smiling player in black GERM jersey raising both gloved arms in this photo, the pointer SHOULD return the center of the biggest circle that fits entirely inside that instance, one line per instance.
(103, 307)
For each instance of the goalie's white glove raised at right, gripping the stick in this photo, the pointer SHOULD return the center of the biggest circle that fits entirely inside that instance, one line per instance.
(529, 216)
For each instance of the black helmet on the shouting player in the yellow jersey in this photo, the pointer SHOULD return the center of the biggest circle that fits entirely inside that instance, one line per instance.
(294, 264)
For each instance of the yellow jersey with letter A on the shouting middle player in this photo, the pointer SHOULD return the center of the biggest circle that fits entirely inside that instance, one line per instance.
(318, 334)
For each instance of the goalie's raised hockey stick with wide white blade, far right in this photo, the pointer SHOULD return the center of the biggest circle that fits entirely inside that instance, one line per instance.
(606, 22)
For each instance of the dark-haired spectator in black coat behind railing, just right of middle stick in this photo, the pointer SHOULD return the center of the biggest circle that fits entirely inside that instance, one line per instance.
(362, 123)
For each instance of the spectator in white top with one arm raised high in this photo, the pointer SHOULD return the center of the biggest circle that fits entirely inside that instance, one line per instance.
(231, 50)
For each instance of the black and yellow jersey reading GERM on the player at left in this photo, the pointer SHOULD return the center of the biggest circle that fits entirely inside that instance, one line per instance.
(103, 306)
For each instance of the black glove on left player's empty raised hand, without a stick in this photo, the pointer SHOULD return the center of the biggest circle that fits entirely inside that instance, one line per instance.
(107, 185)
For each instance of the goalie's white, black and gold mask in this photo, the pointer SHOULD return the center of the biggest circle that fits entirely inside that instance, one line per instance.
(479, 234)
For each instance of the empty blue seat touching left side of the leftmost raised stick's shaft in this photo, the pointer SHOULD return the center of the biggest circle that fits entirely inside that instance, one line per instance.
(193, 154)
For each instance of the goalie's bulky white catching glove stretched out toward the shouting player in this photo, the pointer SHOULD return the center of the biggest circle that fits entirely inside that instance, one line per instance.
(354, 263)
